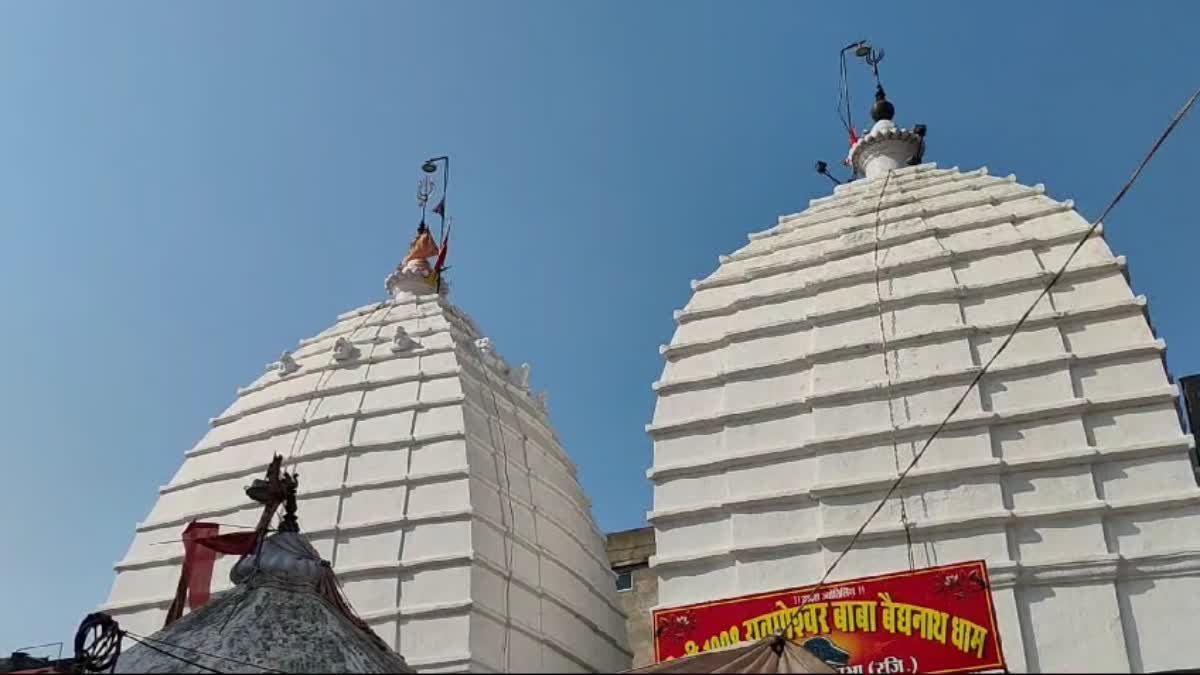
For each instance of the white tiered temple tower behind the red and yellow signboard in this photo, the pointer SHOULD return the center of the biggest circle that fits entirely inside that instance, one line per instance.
(1067, 469)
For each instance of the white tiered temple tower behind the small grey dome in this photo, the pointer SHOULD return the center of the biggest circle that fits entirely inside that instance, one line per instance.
(430, 477)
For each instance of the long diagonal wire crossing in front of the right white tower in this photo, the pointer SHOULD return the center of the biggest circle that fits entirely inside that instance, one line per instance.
(1009, 339)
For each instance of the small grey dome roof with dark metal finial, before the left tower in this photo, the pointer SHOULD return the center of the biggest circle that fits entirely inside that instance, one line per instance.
(285, 614)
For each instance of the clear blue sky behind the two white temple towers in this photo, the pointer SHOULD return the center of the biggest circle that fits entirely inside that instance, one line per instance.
(188, 189)
